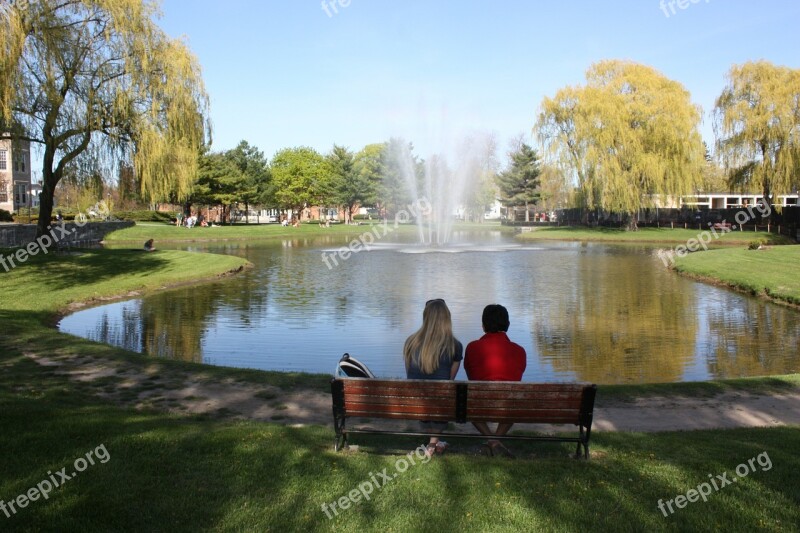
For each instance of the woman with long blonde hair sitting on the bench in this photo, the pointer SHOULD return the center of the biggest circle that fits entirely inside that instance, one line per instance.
(432, 352)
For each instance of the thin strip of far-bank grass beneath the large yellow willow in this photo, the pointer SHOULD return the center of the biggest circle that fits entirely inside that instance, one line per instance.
(646, 235)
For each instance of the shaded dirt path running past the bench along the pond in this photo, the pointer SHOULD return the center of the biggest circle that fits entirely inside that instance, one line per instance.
(142, 386)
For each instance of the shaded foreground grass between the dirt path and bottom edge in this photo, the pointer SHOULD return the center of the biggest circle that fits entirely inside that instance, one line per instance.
(184, 473)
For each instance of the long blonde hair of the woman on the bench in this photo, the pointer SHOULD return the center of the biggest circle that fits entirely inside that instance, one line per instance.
(435, 337)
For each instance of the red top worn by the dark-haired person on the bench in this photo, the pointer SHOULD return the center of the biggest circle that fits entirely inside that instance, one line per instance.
(494, 357)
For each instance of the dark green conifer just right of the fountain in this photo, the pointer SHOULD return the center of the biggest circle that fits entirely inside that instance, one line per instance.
(519, 184)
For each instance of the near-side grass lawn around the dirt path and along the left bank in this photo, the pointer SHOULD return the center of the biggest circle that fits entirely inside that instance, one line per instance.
(202, 473)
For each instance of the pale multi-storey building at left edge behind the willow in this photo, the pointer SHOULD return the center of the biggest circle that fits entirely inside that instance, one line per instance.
(15, 174)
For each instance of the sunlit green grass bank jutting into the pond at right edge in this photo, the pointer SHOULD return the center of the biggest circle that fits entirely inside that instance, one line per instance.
(771, 272)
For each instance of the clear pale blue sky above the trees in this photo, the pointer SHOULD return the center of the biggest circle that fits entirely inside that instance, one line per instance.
(287, 73)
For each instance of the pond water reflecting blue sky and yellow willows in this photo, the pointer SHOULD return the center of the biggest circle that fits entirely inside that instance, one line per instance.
(588, 312)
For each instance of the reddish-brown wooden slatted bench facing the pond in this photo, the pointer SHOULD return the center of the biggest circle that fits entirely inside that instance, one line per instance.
(462, 402)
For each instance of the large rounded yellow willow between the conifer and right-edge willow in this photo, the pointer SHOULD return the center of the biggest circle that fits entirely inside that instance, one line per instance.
(628, 139)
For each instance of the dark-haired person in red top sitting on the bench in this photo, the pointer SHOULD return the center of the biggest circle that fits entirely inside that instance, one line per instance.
(494, 357)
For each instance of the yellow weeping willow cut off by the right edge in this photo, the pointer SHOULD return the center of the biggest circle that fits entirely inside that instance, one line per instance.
(757, 120)
